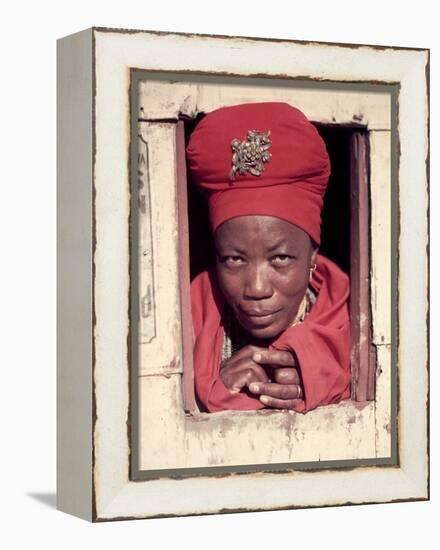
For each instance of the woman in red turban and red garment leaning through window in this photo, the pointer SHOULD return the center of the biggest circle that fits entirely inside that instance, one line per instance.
(271, 322)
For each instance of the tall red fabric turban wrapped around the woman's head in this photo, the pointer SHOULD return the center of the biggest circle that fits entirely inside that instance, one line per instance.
(260, 159)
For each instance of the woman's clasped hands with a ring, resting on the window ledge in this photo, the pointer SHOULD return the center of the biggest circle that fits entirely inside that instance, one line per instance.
(272, 375)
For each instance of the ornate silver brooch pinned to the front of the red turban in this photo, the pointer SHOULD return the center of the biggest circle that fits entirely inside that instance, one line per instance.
(249, 155)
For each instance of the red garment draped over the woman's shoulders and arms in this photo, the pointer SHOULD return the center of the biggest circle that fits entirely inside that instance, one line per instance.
(321, 343)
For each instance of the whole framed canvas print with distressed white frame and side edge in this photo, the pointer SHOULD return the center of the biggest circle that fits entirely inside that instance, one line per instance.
(248, 304)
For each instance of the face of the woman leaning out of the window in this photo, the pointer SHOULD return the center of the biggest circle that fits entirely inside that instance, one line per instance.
(263, 267)
